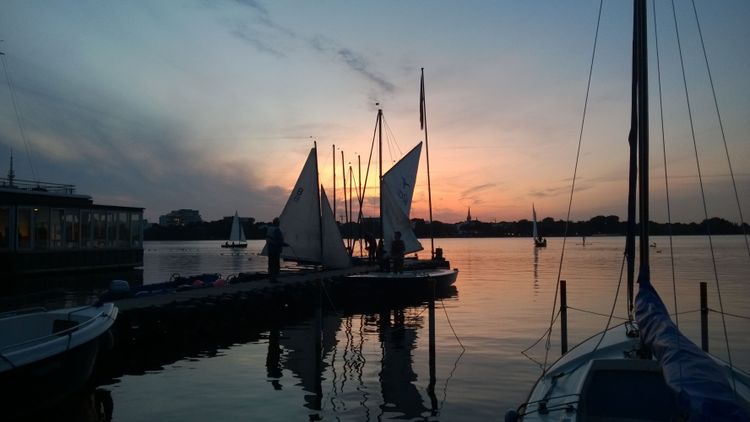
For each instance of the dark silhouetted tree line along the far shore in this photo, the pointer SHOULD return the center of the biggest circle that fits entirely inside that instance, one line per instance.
(548, 227)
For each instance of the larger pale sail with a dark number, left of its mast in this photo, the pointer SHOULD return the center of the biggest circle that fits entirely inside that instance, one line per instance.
(300, 219)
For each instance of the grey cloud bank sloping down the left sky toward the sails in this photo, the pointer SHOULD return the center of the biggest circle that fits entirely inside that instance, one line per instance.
(121, 154)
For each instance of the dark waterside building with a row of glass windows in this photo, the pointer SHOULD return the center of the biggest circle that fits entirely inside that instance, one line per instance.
(48, 228)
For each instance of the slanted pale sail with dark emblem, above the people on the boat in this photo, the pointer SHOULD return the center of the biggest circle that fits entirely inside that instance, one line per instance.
(396, 191)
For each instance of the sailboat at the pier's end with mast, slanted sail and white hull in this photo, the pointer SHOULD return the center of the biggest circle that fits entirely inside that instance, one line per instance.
(396, 193)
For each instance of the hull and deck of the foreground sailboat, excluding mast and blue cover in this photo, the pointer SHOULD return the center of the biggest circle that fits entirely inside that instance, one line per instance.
(606, 378)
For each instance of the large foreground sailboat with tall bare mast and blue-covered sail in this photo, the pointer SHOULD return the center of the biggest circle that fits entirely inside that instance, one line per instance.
(645, 368)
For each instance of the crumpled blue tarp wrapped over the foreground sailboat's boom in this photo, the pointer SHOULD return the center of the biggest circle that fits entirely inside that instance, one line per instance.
(701, 386)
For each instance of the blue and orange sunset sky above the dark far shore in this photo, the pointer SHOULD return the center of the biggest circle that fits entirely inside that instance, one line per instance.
(213, 105)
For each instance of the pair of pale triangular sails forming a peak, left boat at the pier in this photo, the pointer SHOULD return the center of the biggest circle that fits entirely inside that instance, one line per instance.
(308, 224)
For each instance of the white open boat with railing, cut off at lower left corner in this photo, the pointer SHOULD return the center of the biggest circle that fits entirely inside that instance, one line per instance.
(47, 355)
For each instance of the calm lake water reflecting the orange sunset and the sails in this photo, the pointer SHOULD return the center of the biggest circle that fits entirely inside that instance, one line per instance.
(376, 366)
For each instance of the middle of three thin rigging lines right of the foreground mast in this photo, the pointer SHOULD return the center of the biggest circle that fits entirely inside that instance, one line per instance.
(703, 193)
